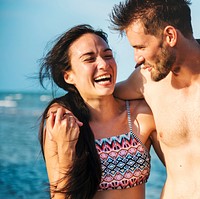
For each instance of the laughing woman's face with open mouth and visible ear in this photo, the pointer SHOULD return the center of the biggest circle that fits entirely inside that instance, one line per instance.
(93, 68)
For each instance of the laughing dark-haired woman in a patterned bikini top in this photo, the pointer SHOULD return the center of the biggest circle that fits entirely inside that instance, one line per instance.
(109, 156)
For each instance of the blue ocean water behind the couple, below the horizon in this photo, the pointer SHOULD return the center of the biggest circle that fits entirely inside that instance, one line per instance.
(22, 169)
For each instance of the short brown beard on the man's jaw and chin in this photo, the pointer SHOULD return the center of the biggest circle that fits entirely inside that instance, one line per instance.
(163, 64)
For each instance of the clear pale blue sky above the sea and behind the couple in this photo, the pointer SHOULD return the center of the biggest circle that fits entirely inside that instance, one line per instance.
(27, 26)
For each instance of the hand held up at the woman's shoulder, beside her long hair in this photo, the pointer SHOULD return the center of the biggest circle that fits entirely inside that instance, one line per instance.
(63, 129)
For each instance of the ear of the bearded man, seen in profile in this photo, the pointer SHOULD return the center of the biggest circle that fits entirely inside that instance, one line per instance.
(170, 34)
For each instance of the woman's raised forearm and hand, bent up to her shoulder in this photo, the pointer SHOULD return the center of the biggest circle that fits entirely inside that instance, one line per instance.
(61, 137)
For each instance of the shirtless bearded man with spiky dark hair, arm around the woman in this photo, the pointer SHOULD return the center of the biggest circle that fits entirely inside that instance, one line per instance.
(161, 34)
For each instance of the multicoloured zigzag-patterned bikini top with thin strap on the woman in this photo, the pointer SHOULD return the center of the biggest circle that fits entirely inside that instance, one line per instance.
(125, 161)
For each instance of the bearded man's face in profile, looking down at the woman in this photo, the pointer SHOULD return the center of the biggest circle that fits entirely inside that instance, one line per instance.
(157, 56)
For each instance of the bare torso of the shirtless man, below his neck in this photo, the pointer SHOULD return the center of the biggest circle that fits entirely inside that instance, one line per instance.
(177, 117)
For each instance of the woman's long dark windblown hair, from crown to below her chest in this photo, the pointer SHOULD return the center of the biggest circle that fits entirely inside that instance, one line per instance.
(85, 173)
